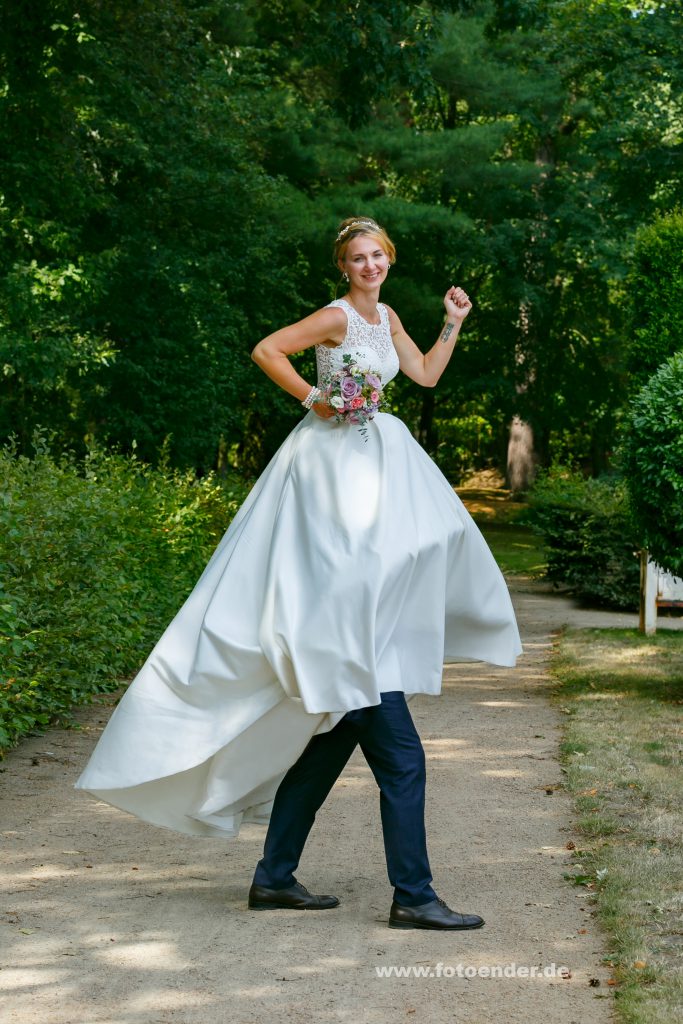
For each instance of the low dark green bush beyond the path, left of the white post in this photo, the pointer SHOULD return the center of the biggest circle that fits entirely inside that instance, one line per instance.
(589, 536)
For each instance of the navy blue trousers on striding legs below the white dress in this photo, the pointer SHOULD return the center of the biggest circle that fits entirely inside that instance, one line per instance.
(393, 749)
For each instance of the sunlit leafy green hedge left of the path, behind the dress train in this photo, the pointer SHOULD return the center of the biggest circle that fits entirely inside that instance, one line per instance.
(95, 562)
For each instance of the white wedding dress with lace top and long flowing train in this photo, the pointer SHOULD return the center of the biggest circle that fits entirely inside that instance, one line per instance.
(352, 569)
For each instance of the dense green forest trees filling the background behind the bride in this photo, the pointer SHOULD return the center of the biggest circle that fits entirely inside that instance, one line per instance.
(174, 174)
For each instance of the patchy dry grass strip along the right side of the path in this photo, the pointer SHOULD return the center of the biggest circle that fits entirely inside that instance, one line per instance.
(623, 696)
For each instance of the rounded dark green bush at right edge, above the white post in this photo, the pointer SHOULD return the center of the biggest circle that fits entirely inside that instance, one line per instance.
(653, 454)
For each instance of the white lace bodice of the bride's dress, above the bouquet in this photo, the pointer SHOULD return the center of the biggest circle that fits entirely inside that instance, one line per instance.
(370, 344)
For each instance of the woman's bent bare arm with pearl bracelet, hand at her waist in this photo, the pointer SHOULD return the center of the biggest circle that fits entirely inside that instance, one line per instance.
(326, 326)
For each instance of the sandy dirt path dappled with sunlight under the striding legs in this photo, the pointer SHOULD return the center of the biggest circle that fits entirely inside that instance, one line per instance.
(109, 921)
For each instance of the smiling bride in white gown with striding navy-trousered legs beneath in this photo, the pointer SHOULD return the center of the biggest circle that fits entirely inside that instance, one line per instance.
(348, 577)
